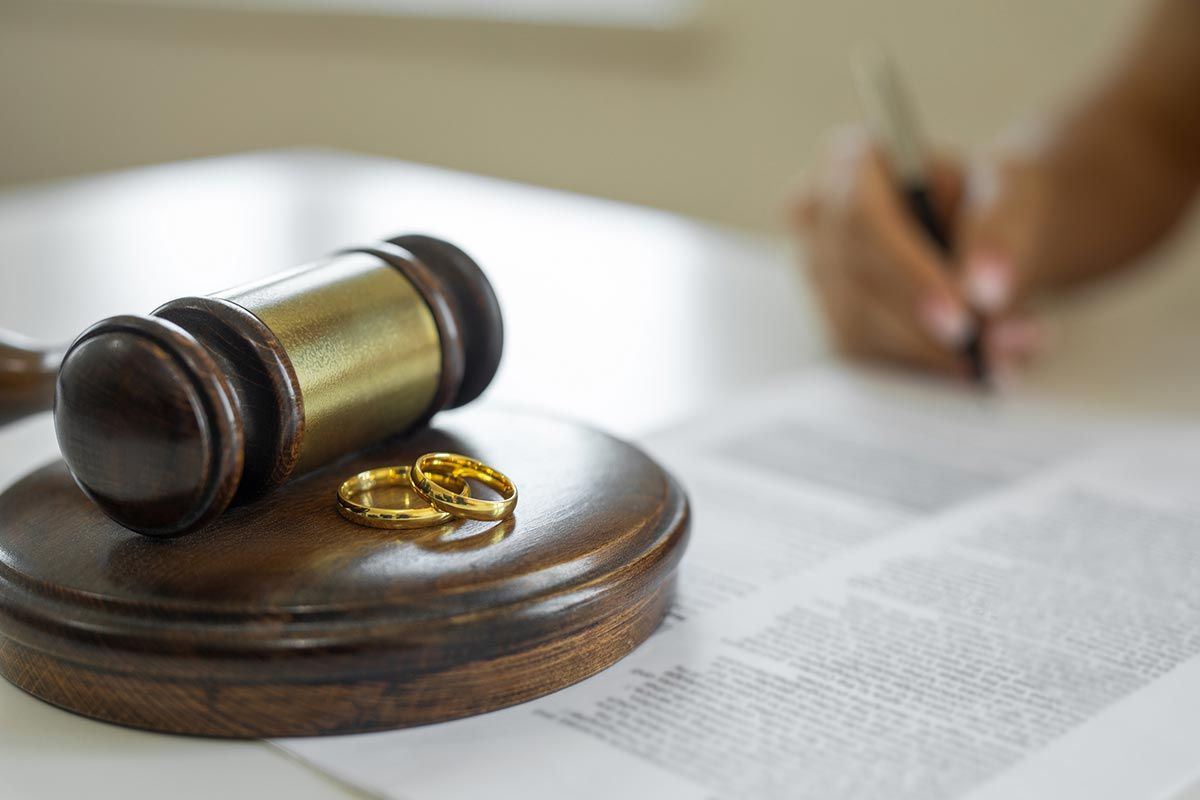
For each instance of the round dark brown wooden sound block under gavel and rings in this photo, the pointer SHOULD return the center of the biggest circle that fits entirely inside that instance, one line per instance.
(283, 619)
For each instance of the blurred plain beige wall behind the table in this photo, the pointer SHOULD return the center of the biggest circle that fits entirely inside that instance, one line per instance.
(712, 117)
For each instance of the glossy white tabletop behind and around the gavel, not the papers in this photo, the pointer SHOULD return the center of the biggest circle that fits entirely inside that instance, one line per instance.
(622, 317)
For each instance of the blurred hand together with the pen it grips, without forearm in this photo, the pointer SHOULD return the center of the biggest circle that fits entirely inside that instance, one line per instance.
(880, 221)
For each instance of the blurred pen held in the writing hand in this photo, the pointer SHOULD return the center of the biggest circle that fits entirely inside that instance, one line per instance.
(893, 122)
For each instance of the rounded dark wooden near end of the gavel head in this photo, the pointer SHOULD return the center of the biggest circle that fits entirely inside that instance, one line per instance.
(149, 425)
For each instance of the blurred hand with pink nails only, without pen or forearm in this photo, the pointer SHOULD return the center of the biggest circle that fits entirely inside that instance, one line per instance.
(887, 291)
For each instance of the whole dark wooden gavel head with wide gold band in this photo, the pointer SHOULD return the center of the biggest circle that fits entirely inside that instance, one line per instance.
(165, 420)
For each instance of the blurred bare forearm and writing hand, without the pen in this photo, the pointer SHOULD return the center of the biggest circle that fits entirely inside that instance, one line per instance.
(1077, 196)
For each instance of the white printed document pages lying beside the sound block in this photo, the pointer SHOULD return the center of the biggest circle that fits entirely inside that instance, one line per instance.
(892, 592)
